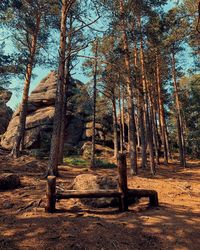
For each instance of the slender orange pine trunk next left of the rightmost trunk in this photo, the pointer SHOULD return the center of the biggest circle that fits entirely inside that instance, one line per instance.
(161, 111)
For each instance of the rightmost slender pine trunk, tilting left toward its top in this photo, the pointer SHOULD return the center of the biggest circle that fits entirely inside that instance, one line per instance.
(181, 140)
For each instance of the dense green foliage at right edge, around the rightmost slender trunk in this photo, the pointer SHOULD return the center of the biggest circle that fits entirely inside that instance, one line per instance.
(189, 95)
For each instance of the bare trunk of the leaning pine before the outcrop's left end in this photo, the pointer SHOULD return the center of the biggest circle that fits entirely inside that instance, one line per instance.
(20, 135)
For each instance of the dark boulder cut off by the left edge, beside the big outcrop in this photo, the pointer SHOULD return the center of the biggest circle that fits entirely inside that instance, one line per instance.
(5, 111)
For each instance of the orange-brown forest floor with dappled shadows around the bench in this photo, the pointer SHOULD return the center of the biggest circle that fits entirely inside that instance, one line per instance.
(175, 224)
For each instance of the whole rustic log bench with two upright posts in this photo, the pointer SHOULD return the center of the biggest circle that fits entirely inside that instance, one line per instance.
(123, 193)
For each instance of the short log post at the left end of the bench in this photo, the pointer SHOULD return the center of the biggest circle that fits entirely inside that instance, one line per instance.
(51, 194)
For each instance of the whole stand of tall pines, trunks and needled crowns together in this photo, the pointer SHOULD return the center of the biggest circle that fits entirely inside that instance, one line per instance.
(140, 60)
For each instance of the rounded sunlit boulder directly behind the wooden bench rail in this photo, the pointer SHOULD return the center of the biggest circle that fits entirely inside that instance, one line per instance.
(95, 183)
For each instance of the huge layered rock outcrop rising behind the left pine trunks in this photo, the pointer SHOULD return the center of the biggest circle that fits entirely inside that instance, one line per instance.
(40, 114)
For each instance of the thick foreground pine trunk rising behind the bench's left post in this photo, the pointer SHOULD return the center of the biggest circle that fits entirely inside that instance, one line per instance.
(53, 157)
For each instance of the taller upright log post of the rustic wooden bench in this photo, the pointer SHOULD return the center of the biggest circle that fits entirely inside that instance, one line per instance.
(122, 182)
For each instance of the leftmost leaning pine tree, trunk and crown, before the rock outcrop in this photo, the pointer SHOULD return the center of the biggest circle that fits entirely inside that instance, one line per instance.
(29, 33)
